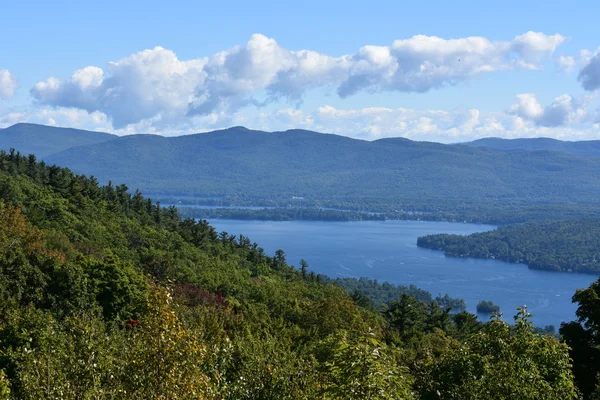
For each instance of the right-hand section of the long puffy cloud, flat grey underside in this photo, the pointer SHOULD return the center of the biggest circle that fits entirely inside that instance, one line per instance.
(422, 63)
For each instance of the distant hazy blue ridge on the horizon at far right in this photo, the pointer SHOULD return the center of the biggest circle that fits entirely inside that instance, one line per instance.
(588, 148)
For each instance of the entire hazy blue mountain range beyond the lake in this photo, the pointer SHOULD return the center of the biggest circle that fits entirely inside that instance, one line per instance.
(256, 164)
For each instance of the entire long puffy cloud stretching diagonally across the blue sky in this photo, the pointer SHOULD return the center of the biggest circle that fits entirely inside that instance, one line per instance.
(156, 85)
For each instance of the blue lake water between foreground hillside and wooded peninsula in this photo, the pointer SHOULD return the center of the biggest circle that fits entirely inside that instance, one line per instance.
(387, 251)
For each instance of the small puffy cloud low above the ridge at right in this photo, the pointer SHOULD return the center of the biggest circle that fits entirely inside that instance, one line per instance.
(564, 110)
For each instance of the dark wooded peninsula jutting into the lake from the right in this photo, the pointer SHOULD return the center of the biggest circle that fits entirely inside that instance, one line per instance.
(569, 245)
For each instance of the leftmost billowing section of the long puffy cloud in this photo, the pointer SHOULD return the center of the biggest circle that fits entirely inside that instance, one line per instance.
(144, 85)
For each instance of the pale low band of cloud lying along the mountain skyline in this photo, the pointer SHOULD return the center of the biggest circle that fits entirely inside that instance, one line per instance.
(369, 123)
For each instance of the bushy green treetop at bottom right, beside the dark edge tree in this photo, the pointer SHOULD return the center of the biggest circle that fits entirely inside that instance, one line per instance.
(502, 362)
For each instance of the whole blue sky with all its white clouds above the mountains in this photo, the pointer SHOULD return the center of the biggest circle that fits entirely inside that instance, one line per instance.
(446, 71)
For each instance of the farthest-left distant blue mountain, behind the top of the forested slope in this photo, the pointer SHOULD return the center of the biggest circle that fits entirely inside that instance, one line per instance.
(44, 140)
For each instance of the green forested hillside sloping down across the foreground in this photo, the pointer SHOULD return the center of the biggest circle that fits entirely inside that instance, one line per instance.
(105, 294)
